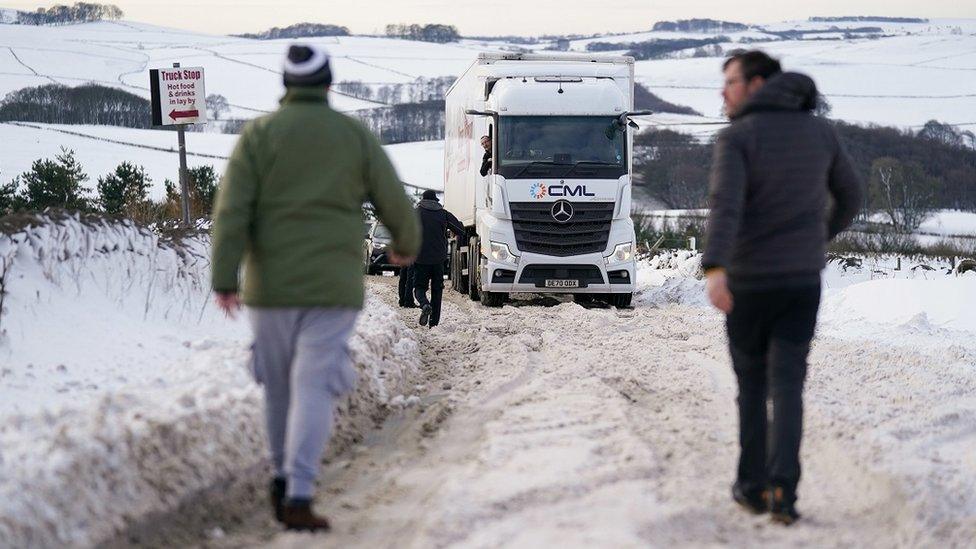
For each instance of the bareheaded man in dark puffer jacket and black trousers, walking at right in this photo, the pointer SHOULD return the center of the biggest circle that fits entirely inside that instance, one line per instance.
(781, 186)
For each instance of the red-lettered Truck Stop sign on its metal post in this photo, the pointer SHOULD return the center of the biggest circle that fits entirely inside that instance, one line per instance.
(179, 99)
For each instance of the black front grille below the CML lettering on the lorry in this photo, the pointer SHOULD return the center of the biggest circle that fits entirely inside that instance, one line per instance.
(537, 232)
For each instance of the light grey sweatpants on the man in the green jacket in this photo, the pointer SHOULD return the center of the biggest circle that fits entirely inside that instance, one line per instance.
(301, 357)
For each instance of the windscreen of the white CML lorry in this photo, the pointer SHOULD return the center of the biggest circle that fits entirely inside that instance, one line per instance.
(584, 147)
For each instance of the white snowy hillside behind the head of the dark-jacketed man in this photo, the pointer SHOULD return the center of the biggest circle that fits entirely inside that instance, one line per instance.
(916, 73)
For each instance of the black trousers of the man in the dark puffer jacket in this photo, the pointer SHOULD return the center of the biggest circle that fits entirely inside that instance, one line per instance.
(769, 339)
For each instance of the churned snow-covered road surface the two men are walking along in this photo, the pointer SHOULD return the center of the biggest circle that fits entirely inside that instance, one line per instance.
(562, 426)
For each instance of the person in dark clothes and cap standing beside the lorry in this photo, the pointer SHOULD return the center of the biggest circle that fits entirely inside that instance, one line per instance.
(428, 270)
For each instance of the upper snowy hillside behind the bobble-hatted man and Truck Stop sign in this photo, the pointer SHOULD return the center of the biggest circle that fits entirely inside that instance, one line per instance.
(121, 53)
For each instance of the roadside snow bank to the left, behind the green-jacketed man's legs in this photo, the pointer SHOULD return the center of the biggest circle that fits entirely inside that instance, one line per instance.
(124, 390)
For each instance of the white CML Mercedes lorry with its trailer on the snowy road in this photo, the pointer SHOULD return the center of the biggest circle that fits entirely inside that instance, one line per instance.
(553, 214)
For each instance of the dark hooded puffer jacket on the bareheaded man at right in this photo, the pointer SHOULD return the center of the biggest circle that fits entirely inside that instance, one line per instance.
(781, 186)
